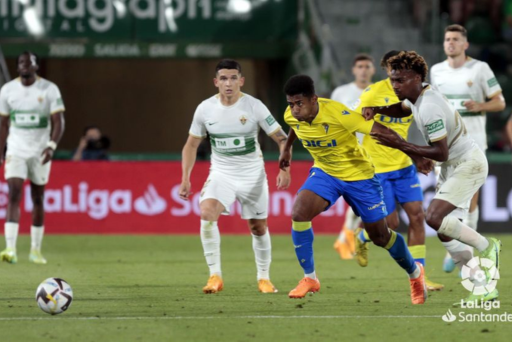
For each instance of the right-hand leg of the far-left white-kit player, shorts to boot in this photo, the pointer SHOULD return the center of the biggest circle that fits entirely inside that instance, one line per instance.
(39, 176)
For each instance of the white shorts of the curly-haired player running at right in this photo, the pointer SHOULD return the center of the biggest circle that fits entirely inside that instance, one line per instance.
(460, 179)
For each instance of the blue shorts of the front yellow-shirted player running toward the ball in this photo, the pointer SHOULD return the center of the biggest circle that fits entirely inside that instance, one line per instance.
(365, 196)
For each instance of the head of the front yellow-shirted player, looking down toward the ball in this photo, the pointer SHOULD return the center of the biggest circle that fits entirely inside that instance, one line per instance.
(301, 97)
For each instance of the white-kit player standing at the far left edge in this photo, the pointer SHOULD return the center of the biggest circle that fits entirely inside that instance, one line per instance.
(32, 123)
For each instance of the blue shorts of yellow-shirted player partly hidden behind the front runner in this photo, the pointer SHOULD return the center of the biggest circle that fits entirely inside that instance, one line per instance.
(402, 185)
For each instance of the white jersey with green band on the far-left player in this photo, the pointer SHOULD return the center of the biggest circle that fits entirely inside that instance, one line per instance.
(29, 109)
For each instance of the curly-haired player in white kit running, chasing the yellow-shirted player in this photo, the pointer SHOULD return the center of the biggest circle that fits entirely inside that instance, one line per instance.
(464, 166)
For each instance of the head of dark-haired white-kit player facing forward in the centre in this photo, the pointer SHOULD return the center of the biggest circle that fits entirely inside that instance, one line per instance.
(228, 78)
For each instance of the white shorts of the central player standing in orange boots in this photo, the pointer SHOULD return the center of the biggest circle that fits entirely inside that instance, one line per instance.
(251, 190)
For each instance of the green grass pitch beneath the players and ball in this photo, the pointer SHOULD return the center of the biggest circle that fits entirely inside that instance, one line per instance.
(148, 288)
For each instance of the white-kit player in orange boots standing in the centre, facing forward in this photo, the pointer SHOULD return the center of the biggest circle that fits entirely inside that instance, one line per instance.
(233, 119)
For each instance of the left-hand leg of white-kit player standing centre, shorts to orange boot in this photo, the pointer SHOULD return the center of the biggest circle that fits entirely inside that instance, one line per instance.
(217, 196)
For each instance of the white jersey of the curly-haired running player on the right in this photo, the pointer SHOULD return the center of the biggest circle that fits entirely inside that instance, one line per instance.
(437, 119)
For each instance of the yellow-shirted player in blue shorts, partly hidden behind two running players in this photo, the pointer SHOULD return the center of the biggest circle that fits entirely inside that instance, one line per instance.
(396, 173)
